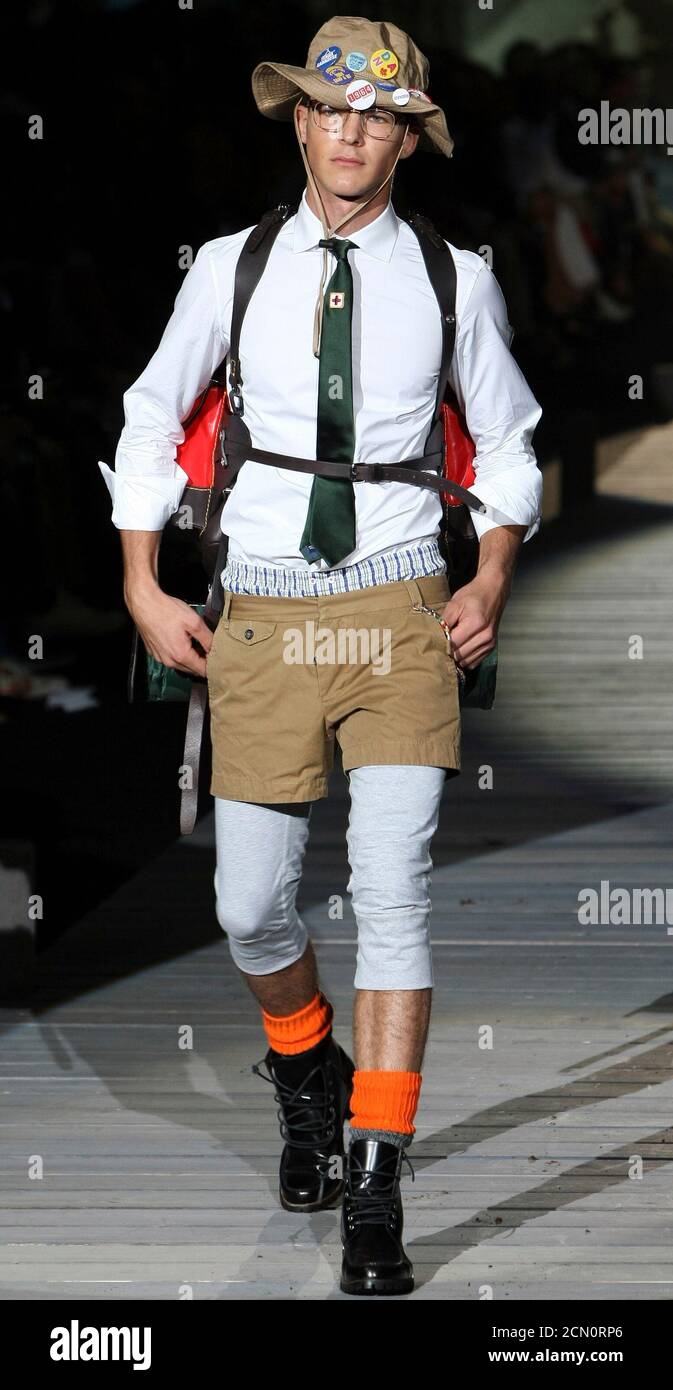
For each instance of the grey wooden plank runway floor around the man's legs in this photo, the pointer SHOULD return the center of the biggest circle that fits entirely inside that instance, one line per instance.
(544, 1160)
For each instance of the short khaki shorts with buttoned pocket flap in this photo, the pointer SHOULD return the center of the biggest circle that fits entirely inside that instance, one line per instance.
(290, 676)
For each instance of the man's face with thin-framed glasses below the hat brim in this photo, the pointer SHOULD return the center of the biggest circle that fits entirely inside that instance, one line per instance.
(347, 161)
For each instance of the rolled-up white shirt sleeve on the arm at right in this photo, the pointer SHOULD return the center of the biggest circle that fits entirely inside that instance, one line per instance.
(500, 409)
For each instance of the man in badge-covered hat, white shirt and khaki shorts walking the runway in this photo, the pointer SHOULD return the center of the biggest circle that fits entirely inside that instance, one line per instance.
(340, 359)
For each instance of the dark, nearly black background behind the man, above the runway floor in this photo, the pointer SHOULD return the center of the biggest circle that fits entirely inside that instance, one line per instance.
(152, 141)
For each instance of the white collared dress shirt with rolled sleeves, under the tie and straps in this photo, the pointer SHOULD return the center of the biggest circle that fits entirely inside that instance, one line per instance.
(397, 354)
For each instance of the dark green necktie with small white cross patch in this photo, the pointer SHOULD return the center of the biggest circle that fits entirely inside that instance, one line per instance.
(330, 523)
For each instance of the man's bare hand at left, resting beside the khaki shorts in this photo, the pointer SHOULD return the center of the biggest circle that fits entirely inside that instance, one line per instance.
(168, 628)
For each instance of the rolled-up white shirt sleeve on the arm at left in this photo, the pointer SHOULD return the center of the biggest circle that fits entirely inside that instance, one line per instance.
(147, 484)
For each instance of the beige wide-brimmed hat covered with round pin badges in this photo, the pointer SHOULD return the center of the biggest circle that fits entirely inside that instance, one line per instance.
(344, 51)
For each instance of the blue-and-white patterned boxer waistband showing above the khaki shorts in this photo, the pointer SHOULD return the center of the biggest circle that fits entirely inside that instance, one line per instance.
(405, 562)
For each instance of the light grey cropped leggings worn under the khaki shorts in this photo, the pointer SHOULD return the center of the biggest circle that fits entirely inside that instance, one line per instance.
(261, 849)
